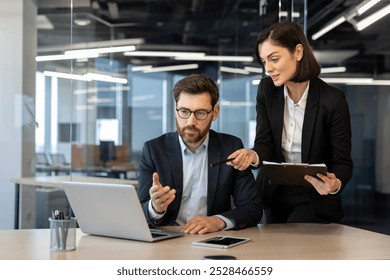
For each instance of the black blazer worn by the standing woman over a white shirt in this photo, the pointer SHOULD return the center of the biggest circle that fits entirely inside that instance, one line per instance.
(326, 138)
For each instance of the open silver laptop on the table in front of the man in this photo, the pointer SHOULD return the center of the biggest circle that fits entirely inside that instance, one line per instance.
(111, 210)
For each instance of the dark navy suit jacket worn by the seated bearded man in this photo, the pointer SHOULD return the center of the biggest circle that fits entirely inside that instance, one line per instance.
(230, 192)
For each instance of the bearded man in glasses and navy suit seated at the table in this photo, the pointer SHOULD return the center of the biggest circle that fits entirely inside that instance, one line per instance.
(177, 185)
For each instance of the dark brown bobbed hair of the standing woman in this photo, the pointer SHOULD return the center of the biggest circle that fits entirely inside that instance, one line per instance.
(289, 35)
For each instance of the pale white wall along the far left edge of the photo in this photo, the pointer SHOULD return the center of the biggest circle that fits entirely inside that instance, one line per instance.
(17, 90)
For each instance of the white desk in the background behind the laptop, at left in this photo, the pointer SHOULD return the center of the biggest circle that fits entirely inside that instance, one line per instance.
(25, 188)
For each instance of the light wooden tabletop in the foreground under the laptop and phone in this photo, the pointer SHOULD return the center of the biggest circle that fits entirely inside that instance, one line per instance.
(271, 242)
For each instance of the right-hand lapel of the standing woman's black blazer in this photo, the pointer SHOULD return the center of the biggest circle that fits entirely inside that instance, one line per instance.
(310, 117)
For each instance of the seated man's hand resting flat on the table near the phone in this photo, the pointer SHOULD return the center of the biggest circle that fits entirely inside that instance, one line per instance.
(204, 224)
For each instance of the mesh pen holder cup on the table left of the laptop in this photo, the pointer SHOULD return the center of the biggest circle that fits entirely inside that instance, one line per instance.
(62, 235)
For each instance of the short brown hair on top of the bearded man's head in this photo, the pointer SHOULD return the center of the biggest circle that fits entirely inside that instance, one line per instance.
(195, 84)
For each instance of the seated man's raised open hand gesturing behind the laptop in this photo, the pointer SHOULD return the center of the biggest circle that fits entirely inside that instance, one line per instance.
(161, 196)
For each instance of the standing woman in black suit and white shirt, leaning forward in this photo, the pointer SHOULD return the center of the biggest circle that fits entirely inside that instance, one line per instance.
(300, 119)
